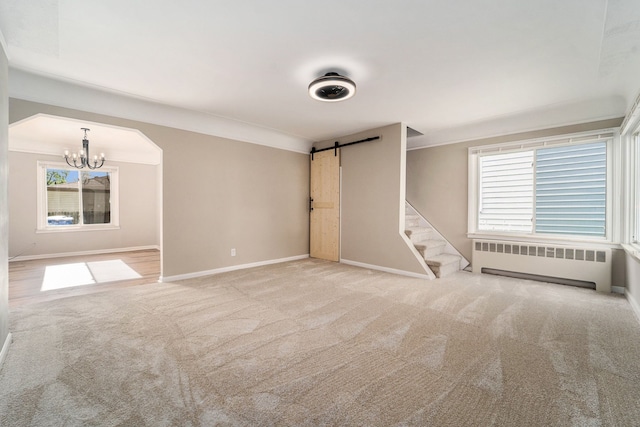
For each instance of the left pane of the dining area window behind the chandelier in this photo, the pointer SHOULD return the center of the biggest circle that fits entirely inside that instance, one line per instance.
(63, 203)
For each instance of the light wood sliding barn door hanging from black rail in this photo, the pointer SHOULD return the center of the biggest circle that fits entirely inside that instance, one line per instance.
(324, 219)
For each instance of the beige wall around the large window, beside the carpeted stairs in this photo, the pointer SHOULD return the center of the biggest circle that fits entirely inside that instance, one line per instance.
(437, 181)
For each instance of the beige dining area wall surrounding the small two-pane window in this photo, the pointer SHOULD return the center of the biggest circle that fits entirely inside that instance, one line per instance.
(138, 190)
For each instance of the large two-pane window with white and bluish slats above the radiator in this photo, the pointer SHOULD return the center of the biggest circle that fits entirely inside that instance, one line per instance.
(544, 188)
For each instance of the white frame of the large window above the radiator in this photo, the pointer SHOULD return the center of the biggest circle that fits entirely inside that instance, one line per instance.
(612, 138)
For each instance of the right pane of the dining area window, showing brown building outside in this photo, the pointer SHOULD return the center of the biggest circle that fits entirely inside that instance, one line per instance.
(96, 196)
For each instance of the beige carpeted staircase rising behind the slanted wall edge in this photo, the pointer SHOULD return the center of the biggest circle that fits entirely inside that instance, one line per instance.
(431, 246)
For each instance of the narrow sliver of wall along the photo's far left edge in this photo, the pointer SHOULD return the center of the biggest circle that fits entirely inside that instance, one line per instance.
(4, 211)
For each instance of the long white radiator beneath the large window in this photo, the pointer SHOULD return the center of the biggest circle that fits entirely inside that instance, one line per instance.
(553, 261)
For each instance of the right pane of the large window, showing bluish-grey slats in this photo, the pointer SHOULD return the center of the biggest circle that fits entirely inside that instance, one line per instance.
(571, 184)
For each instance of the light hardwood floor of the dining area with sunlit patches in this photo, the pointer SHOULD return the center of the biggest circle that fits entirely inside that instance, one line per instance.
(26, 278)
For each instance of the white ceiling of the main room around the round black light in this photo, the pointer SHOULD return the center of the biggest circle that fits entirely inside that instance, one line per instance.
(452, 70)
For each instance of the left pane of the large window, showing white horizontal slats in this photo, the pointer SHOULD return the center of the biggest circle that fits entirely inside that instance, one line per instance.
(506, 192)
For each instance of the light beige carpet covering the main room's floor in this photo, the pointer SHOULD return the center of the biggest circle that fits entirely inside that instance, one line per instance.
(316, 343)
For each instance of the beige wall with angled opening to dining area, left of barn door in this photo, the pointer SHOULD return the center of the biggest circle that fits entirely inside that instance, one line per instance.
(217, 194)
